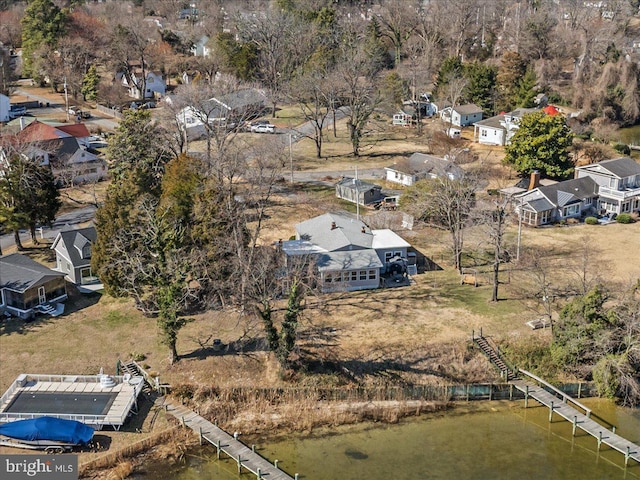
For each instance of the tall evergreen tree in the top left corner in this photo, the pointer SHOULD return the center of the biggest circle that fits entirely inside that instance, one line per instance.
(43, 24)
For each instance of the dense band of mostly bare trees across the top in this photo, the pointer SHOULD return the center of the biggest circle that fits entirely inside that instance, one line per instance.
(495, 53)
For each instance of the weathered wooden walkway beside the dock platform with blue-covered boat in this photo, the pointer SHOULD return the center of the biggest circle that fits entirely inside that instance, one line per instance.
(245, 457)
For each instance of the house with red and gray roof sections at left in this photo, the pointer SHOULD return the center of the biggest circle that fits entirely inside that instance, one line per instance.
(60, 148)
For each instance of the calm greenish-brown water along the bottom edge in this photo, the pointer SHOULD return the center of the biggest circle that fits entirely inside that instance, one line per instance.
(487, 440)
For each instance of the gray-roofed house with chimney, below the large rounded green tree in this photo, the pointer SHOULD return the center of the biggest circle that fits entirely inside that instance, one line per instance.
(560, 201)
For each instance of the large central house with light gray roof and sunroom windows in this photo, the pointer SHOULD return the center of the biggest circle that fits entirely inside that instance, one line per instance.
(348, 255)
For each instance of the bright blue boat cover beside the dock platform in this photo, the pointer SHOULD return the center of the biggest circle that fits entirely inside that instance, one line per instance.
(48, 428)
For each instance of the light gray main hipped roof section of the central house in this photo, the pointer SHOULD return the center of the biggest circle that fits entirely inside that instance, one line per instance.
(336, 231)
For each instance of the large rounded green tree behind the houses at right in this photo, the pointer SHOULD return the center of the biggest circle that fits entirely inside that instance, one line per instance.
(541, 143)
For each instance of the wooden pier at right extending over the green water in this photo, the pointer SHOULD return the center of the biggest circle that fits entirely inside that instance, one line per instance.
(580, 420)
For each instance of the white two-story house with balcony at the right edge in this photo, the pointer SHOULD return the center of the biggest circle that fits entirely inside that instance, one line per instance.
(619, 184)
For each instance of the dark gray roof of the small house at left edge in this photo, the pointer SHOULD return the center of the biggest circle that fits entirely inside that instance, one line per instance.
(20, 273)
